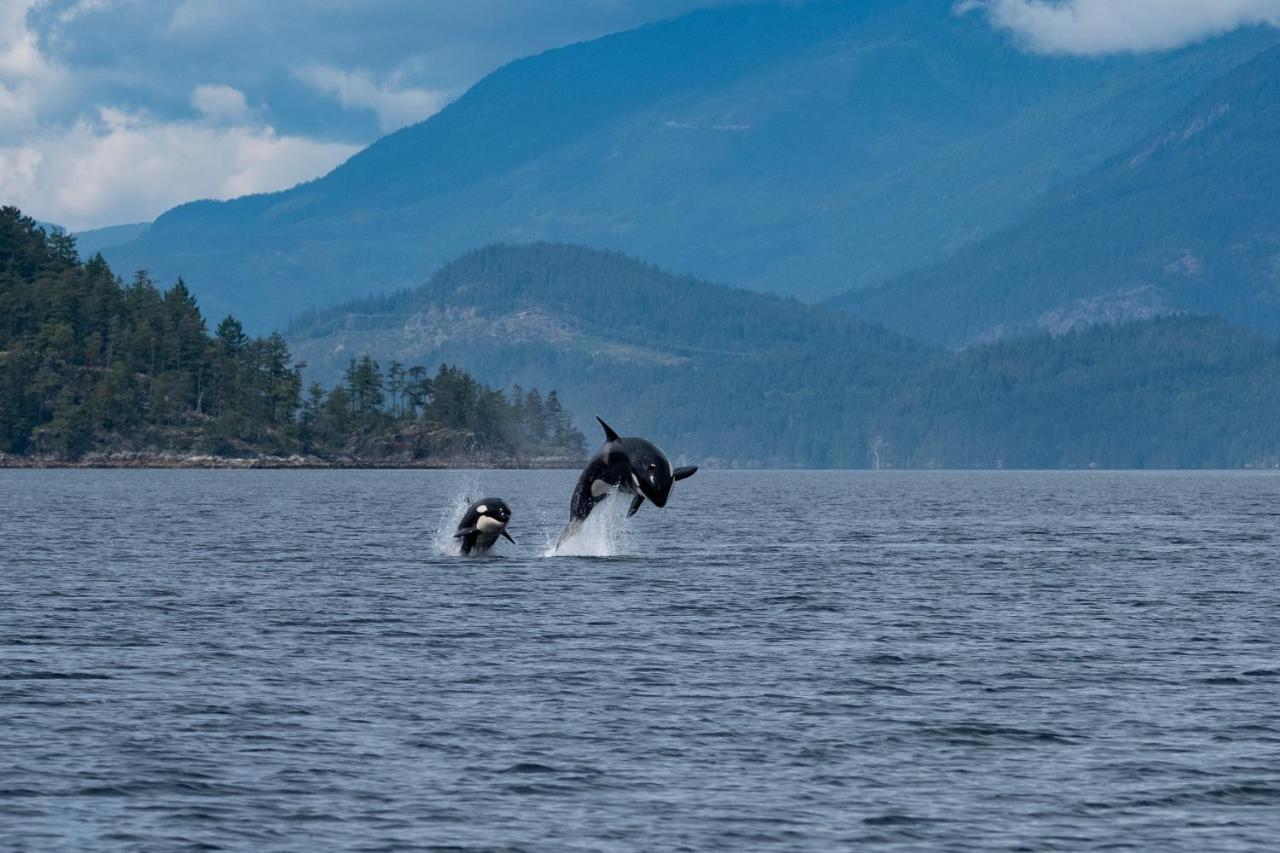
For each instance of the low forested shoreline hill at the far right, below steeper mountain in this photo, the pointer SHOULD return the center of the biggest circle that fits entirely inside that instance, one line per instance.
(1163, 394)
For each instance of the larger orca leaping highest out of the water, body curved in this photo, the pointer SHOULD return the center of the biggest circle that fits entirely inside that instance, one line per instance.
(629, 466)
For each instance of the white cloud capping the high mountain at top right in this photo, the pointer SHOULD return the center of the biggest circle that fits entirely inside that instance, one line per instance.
(1096, 28)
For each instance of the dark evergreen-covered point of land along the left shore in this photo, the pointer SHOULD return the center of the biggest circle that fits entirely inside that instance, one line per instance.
(92, 363)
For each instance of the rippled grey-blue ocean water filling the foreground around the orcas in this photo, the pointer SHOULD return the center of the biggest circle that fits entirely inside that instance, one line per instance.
(793, 662)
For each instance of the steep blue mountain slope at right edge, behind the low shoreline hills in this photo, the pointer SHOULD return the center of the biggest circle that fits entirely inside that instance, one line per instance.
(1185, 221)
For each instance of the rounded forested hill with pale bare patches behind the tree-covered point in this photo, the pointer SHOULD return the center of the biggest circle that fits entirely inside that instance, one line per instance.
(724, 375)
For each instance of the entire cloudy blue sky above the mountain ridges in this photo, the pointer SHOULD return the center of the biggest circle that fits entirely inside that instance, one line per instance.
(115, 111)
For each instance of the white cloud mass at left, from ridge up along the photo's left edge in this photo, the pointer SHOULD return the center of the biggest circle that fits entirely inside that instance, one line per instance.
(127, 166)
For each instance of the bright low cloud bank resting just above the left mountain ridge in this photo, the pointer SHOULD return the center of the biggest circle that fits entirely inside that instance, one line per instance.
(127, 167)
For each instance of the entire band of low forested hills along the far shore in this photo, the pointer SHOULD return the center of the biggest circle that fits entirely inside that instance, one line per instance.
(725, 376)
